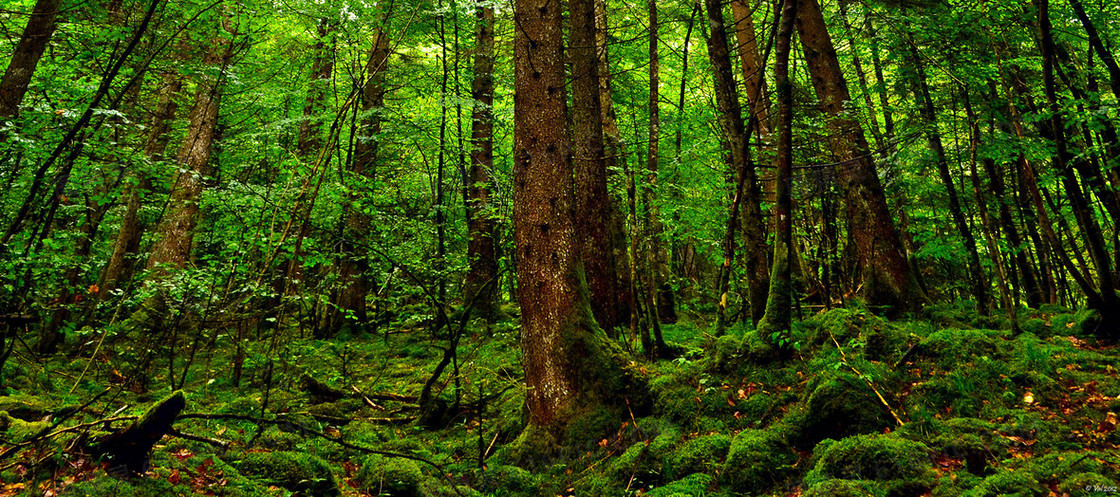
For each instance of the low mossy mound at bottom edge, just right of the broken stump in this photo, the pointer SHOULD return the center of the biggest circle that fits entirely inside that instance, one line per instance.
(292, 471)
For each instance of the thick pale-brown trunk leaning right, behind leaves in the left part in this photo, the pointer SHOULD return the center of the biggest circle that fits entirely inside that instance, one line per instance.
(174, 236)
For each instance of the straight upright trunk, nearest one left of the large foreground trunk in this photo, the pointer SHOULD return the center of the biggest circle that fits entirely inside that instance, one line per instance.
(481, 287)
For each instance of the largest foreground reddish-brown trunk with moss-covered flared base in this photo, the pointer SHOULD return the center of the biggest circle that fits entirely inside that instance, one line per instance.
(573, 372)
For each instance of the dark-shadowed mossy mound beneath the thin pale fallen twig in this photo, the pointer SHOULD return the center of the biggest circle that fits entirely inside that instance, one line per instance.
(841, 406)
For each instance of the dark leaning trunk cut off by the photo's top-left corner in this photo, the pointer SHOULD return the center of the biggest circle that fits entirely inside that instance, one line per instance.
(41, 27)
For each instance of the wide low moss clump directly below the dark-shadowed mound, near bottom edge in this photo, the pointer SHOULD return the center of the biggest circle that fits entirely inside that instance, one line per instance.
(876, 457)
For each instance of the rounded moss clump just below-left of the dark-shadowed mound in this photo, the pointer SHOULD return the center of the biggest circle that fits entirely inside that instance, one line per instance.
(758, 461)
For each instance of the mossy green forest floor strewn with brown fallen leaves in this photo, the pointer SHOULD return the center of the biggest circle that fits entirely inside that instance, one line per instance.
(944, 405)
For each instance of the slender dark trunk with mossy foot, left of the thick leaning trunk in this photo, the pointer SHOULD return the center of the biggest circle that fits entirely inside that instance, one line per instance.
(778, 317)
